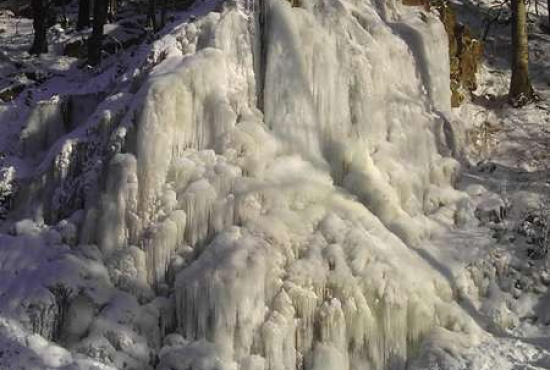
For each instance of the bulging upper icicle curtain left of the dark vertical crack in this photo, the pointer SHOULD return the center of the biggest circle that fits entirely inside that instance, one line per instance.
(186, 109)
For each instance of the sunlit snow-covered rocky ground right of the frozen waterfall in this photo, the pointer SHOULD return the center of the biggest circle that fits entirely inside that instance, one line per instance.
(507, 161)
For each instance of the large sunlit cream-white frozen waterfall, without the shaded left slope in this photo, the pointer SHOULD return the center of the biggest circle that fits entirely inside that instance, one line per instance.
(273, 181)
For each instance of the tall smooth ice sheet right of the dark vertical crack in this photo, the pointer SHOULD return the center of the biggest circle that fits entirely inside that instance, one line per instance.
(359, 91)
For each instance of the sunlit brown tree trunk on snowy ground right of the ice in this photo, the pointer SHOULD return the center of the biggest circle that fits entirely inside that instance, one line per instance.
(521, 91)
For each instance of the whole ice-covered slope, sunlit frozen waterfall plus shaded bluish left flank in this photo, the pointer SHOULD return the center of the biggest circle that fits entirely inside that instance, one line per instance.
(263, 200)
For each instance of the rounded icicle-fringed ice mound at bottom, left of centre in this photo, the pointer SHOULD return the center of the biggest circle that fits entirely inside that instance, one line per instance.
(223, 299)
